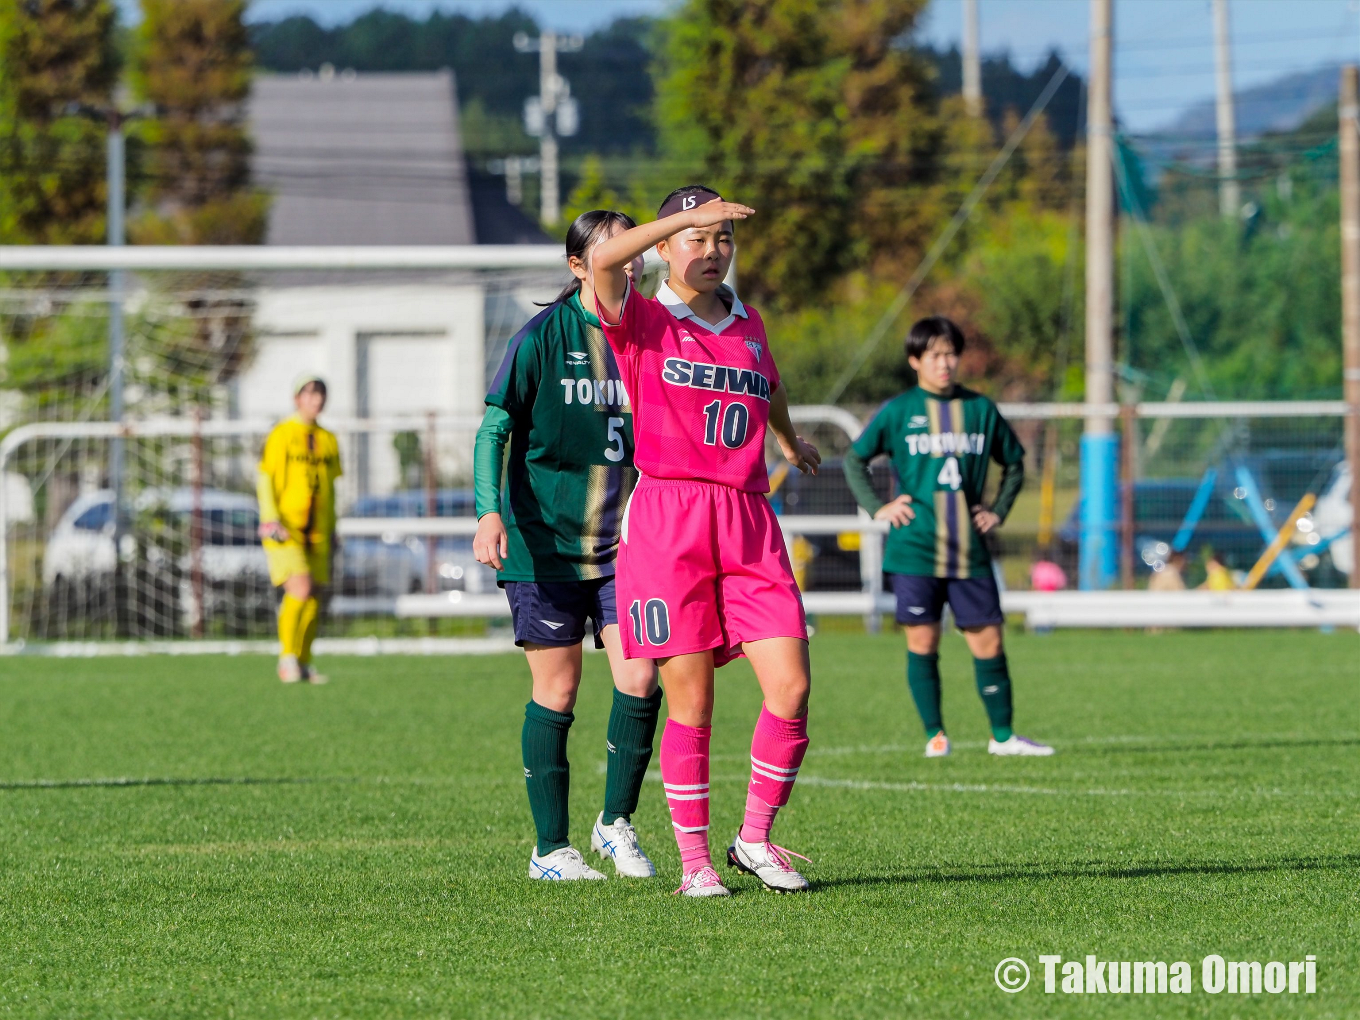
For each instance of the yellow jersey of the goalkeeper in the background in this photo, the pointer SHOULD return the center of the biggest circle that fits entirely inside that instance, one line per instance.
(303, 464)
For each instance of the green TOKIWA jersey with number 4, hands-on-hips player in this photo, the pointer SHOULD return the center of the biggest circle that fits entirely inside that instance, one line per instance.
(940, 449)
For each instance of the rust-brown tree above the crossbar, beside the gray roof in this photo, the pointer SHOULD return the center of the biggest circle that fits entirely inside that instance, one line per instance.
(194, 63)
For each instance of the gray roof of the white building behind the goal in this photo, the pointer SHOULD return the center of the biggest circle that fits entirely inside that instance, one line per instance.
(362, 160)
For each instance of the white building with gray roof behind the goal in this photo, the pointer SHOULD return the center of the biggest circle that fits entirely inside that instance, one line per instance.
(373, 160)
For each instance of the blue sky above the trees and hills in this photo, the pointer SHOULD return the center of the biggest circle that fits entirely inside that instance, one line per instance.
(1163, 48)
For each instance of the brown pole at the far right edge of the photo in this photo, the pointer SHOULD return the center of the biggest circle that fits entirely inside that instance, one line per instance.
(1348, 109)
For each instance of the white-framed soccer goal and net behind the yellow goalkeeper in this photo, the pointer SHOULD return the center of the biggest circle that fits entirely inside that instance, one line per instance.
(146, 528)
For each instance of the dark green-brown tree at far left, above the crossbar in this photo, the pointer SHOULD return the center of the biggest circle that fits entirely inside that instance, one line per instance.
(55, 56)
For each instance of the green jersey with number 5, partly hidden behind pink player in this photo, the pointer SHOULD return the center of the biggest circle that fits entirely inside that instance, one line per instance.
(571, 469)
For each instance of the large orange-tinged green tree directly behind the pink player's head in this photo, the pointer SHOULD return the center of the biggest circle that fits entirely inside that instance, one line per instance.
(814, 114)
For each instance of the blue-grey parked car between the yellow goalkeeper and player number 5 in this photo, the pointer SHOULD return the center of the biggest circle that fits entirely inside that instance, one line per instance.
(394, 565)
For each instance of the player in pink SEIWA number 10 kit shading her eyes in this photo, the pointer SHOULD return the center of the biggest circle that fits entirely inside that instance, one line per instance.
(704, 575)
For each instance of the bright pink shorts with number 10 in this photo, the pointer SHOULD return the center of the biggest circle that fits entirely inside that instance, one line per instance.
(704, 566)
